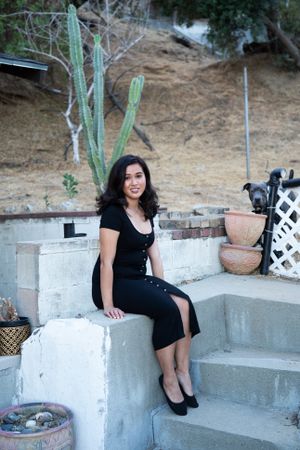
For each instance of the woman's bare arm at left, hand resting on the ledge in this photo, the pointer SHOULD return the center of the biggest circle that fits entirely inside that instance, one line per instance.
(108, 246)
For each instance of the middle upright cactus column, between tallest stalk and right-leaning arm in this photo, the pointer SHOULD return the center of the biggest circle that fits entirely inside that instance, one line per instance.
(98, 125)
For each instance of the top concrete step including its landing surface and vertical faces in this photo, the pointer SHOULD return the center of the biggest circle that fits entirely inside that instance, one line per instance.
(250, 311)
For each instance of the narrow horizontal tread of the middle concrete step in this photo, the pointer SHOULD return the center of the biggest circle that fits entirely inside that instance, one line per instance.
(253, 358)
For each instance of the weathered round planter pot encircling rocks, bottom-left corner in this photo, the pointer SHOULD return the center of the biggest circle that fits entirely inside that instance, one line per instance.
(57, 438)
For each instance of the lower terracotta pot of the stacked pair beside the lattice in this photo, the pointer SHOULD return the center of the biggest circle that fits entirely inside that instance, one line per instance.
(240, 259)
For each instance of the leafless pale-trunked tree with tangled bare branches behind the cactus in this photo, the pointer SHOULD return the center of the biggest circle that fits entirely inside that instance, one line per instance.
(120, 24)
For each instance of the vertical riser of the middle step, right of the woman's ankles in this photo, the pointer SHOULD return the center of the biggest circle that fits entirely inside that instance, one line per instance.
(255, 386)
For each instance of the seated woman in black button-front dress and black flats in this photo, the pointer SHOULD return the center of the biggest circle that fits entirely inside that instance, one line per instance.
(120, 283)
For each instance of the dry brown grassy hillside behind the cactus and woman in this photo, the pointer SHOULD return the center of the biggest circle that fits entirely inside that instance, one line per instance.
(193, 111)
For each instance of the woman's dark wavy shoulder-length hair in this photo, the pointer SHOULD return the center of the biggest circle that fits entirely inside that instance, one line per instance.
(114, 194)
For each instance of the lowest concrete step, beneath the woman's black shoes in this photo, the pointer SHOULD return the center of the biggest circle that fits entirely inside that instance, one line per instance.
(230, 418)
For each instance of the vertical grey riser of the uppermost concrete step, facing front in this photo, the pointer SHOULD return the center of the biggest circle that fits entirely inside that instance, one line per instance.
(263, 323)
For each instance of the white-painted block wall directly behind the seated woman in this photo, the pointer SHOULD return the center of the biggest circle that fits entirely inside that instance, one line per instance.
(54, 276)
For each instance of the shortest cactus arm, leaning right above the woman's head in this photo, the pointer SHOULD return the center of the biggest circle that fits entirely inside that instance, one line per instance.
(134, 97)
